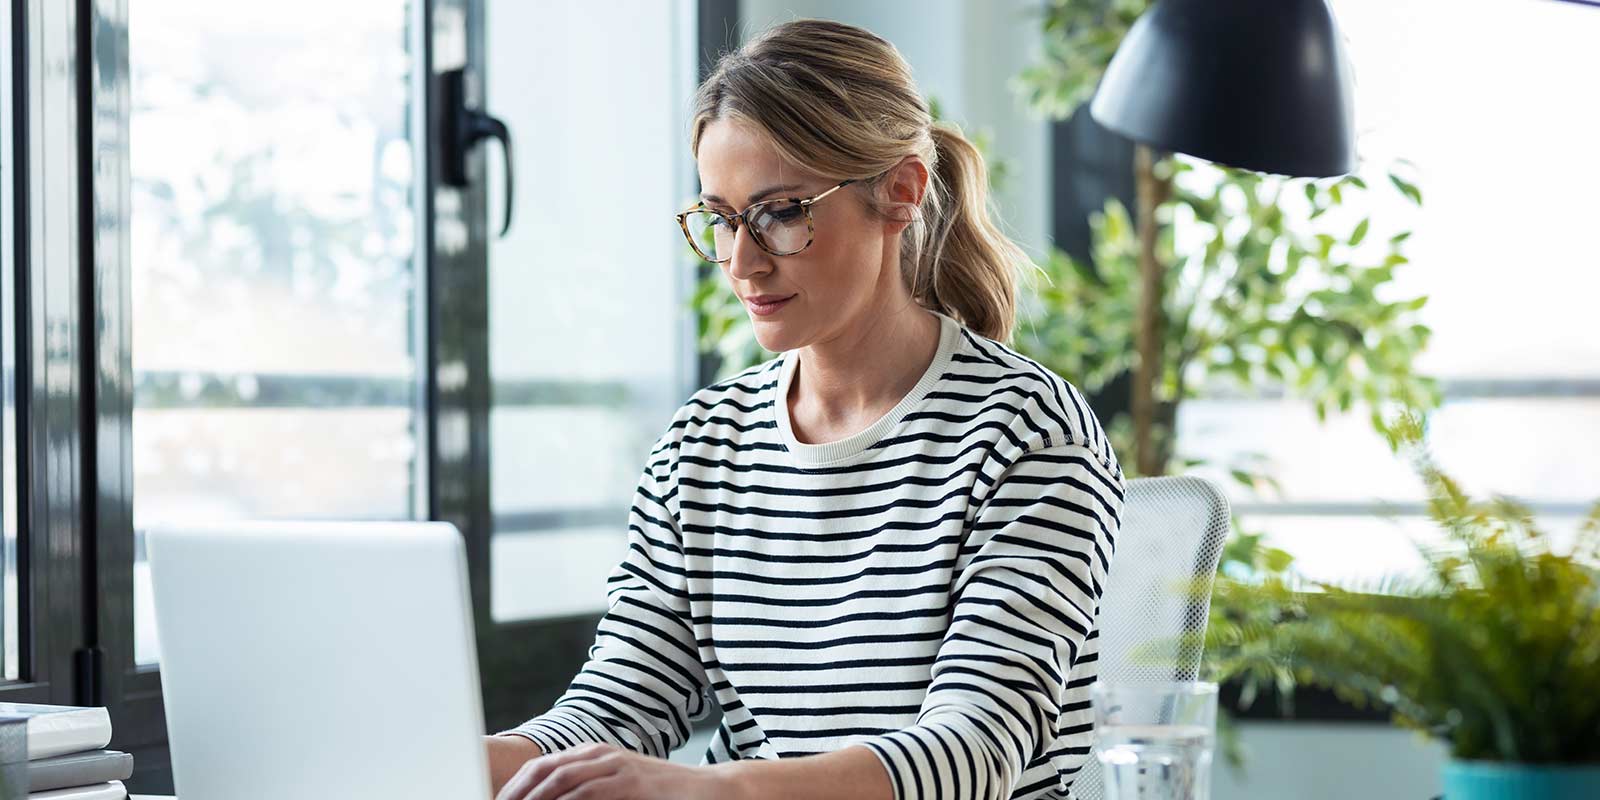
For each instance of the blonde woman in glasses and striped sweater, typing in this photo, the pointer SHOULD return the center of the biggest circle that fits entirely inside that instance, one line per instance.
(882, 553)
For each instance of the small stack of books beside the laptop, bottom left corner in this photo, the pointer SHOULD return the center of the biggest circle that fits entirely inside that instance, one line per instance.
(57, 753)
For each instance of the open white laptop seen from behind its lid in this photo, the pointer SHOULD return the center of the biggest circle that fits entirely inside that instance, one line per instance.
(319, 660)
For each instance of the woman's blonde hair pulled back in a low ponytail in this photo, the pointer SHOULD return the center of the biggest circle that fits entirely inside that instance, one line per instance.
(839, 100)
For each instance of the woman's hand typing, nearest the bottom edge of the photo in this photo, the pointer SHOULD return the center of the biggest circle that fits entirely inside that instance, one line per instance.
(601, 772)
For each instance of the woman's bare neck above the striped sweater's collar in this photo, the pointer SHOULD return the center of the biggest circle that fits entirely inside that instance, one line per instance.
(847, 383)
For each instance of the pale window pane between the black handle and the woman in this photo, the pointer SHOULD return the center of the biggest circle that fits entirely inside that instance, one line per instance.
(591, 282)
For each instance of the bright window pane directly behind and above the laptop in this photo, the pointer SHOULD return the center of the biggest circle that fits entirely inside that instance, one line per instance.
(276, 266)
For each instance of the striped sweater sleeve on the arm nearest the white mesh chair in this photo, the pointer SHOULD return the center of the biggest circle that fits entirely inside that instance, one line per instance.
(1023, 604)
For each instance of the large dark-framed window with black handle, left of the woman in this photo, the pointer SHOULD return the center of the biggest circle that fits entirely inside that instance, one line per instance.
(250, 290)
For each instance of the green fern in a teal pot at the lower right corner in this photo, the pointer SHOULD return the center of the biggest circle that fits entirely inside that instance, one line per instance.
(1494, 649)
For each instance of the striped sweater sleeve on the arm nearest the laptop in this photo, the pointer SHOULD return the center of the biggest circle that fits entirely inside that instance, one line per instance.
(644, 681)
